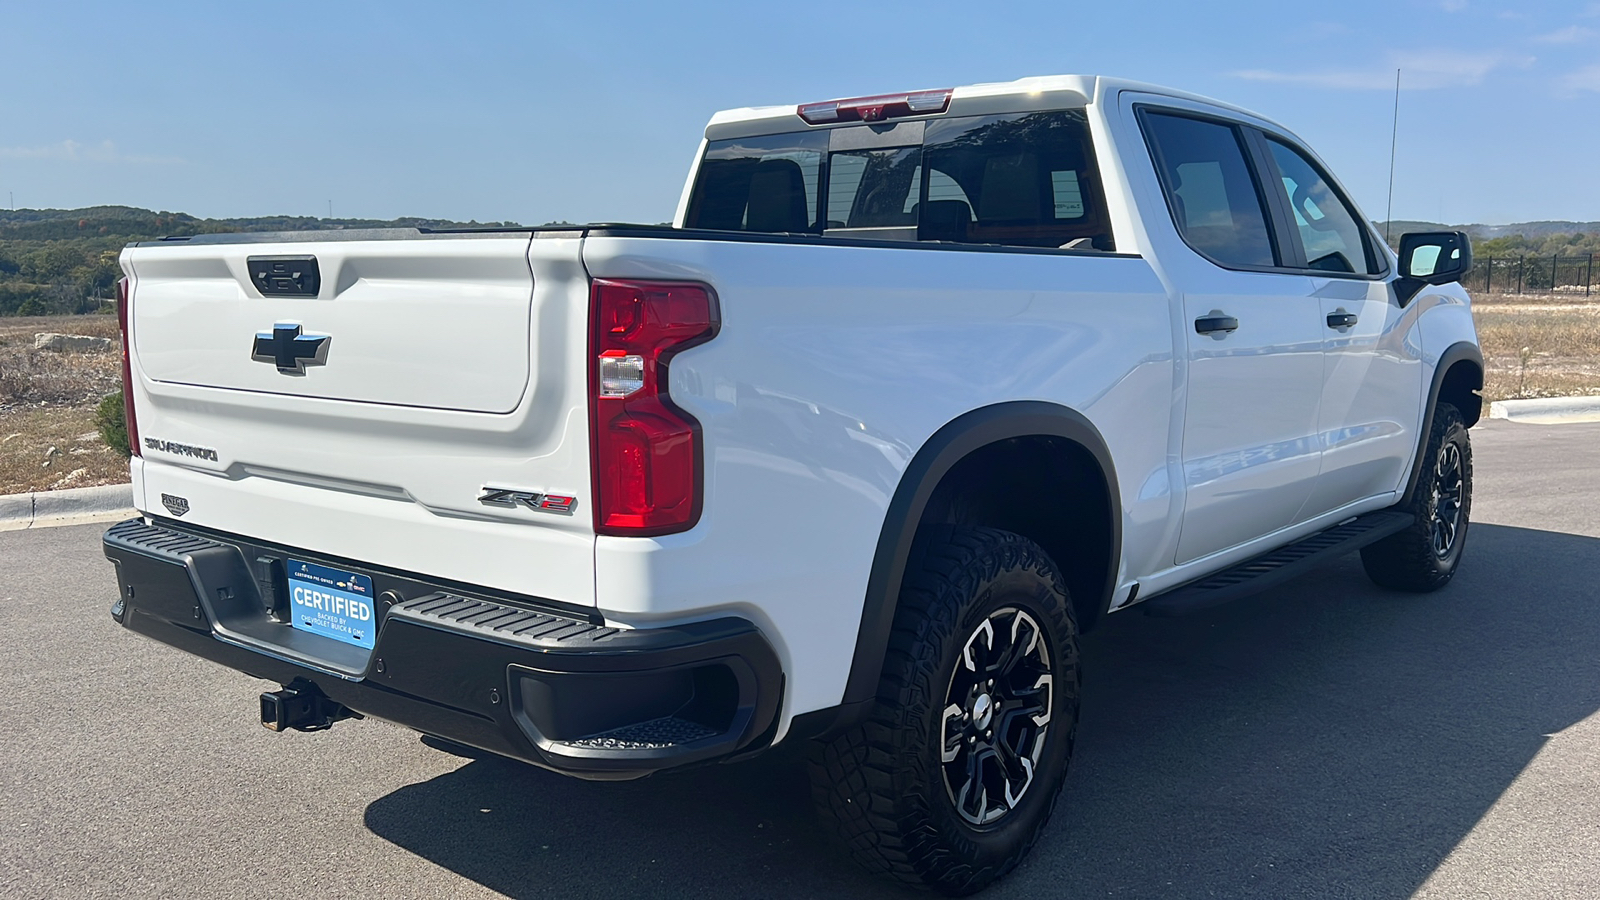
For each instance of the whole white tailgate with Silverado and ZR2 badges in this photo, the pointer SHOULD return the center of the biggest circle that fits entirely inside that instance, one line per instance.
(428, 371)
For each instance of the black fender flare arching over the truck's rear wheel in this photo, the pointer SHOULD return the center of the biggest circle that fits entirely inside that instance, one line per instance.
(942, 452)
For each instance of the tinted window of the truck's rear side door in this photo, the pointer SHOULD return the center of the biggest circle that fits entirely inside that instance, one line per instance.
(1209, 187)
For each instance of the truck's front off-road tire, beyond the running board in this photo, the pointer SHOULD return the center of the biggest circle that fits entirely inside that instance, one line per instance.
(1410, 560)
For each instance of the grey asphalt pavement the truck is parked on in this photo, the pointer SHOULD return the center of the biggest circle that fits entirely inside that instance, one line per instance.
(1326, 739)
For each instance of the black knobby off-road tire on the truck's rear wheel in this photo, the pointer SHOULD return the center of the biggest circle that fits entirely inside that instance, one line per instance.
(884, 782)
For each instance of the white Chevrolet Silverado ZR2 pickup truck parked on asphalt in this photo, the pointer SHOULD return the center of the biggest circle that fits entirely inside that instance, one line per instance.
(914, 392)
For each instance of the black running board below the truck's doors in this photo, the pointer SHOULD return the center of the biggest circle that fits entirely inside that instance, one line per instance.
(1278, 566)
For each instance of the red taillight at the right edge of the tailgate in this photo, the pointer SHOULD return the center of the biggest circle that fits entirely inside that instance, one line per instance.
(646, 451)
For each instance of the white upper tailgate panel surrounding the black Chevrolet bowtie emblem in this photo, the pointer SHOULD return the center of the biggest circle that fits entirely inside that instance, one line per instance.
(428, 323)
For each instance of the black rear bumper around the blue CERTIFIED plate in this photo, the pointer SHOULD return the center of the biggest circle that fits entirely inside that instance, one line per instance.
(503, 675)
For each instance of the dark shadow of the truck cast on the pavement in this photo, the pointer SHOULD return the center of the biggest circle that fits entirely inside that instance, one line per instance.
(1324, 739)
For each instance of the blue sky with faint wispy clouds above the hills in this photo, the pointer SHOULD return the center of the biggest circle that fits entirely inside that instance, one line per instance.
(591, 111)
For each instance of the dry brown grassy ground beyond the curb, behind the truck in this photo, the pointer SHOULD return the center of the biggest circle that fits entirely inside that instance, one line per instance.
(1534, 347)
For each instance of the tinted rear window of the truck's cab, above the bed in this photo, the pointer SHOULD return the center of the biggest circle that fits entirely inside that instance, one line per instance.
(1023, 180)
